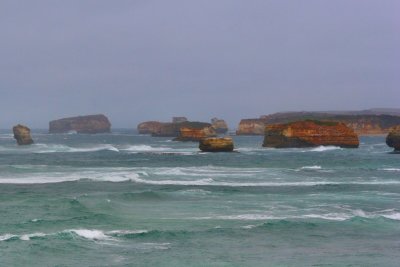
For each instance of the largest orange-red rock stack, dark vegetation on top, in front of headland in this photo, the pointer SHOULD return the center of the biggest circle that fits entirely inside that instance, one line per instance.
(310, 133)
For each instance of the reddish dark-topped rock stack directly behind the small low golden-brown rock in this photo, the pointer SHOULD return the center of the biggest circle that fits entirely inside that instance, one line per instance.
(195, 131)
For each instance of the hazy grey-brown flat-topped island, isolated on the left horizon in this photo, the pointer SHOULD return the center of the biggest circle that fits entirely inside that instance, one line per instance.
(90, 124)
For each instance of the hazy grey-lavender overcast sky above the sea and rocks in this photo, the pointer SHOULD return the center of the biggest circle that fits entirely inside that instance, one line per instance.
(144, 60)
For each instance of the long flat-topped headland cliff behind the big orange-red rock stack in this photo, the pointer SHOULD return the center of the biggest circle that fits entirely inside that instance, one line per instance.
(363, 122)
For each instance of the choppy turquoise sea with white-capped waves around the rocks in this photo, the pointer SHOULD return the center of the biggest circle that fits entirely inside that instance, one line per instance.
(127, 200)
